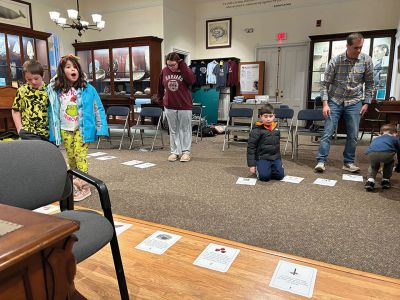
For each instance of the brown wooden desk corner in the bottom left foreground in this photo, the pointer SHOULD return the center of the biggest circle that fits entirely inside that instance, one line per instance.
(36, 261)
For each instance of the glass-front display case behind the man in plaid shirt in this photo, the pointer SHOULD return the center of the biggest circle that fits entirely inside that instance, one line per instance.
(377, 44)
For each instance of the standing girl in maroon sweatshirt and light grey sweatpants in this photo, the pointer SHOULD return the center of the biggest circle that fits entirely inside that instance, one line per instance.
(175, 95)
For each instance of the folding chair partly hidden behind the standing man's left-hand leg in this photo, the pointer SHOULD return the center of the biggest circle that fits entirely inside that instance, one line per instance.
(312, 115)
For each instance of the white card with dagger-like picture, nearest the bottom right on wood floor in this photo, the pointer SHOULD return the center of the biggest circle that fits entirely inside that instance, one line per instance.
(294, 278)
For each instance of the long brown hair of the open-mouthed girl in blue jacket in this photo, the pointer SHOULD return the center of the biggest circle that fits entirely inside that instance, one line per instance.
(61, 82)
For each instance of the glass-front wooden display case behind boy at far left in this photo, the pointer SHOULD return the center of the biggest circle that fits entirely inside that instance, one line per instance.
(17, 45)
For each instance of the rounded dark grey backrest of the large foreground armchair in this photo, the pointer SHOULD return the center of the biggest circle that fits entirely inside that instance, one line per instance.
(32, 174)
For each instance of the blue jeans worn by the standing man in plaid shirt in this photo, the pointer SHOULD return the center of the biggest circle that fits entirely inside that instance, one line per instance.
(352, 117)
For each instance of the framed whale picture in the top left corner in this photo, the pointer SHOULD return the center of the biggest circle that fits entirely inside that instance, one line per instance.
(16, 12)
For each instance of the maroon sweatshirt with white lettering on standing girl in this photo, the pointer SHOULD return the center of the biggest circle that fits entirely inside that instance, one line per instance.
(174, 87)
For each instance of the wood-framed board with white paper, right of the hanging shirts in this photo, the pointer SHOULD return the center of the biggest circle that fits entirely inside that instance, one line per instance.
(251, 78)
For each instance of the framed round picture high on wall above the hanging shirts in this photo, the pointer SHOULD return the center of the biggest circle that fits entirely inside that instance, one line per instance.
(219, 33)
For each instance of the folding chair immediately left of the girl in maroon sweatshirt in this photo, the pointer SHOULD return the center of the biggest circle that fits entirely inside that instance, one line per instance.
(148, 112)
